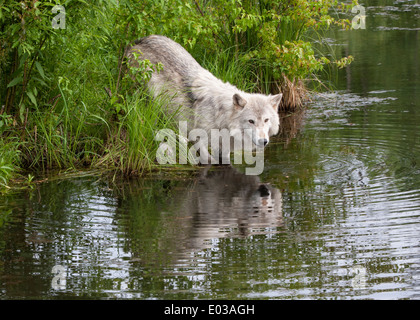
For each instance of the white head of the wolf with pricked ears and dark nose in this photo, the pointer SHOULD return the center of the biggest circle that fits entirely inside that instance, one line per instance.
(259, 114)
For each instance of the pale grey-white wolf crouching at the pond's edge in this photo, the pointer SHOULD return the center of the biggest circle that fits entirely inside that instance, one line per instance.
(203, 100)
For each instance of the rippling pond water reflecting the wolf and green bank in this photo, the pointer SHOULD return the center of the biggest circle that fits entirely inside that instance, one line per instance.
(335, 215)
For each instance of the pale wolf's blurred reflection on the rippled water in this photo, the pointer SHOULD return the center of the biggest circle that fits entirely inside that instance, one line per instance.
(226, 203)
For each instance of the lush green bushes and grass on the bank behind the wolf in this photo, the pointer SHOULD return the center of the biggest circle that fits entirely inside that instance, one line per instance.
(67, 102)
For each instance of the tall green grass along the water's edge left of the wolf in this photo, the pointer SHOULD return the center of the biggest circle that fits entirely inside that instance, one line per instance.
(123, 144)
